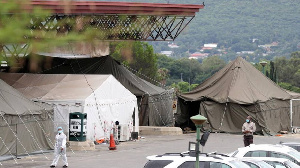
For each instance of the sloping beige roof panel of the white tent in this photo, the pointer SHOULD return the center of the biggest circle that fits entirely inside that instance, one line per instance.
(54, 87)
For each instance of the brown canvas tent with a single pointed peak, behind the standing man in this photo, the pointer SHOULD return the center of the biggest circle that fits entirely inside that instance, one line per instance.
(233, 93)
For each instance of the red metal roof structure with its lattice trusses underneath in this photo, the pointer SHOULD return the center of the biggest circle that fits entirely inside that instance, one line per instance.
(116, 20)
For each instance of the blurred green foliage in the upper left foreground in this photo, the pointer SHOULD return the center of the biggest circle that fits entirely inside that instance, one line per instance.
(36, 29)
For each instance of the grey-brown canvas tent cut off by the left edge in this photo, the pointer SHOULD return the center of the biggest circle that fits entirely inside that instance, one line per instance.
(25, 126)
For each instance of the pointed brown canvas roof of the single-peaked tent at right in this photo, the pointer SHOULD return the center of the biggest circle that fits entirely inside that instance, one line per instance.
(238, 82)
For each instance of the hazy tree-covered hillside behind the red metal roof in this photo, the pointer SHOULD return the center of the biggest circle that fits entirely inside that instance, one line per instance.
(240, 25)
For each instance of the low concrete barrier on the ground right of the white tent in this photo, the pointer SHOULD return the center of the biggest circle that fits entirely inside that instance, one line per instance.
(150, 130)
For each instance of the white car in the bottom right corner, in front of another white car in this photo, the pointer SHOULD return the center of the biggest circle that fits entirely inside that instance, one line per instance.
(277, 162)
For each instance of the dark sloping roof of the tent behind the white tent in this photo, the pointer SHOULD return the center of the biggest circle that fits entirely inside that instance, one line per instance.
(95, 65)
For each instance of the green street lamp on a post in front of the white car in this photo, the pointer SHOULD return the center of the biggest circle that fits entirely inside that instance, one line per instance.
(198, 120)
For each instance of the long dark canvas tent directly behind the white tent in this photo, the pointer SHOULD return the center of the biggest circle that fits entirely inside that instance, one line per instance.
(146, 92)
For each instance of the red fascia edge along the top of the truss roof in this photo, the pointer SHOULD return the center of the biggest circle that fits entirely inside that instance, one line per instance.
(129, 8)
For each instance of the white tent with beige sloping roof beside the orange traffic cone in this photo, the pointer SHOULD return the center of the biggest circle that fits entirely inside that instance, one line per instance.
(102, 97)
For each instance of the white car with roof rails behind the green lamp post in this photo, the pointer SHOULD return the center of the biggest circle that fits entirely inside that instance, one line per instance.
(184, 160)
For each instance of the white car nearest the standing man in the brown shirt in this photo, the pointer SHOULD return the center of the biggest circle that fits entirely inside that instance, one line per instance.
(268, 150)
